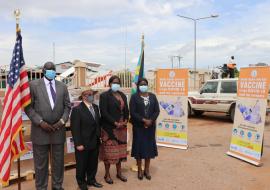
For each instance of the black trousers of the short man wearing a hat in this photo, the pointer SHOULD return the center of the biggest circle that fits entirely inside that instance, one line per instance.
(86, 166)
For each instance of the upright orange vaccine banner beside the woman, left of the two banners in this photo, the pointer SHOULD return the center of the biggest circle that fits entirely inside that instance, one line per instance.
(172, 91)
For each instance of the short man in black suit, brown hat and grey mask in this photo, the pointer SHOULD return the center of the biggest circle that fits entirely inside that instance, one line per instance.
(85, 128)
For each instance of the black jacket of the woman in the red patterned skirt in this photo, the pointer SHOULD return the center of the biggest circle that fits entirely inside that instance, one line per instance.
(110, 109)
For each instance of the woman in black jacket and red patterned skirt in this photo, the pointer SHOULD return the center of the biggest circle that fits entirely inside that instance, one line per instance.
(114, 113)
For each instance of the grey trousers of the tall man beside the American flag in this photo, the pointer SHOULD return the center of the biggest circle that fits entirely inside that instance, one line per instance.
(41, 160)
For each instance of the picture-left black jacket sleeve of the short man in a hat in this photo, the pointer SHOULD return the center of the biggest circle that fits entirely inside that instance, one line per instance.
(76, 127)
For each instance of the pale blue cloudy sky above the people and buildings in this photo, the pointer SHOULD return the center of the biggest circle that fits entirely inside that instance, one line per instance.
(109, 32)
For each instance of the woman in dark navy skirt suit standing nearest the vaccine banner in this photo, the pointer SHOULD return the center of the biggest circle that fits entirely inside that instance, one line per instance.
(144, 110)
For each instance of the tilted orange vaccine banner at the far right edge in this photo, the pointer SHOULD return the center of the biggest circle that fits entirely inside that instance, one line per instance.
(250, 113)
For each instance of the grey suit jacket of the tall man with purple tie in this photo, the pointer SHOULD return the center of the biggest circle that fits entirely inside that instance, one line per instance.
(40, 109)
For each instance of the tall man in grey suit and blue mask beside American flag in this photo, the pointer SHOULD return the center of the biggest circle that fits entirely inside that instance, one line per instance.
(48, 112)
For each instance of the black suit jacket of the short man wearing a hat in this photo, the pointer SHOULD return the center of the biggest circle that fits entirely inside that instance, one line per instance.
(84, 127)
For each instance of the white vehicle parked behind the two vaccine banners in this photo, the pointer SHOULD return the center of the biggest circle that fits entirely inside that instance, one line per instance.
(216, 95)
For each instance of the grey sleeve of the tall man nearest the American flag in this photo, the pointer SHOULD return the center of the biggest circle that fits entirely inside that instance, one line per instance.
(30, 111)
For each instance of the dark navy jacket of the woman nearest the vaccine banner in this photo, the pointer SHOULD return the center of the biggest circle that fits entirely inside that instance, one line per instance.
(137, 109)
